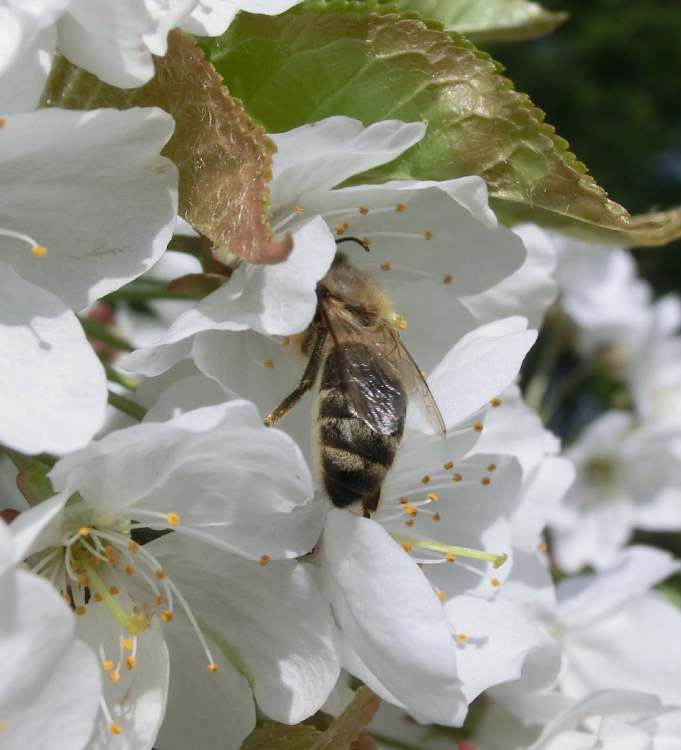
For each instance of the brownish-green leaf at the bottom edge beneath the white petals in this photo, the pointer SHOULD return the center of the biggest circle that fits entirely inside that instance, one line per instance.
(340, 735)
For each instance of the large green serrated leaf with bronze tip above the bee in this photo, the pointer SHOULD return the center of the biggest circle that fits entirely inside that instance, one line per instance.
(294, 69)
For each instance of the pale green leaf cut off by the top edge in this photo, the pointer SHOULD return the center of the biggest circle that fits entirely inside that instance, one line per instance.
(480, 20)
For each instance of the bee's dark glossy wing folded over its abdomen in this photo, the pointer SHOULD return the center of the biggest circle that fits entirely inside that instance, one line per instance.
(369, 376)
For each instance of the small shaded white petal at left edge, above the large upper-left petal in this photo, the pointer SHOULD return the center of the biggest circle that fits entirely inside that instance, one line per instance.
(23, 83)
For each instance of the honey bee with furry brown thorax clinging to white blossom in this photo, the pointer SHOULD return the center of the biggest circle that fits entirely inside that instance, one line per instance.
(367, 377)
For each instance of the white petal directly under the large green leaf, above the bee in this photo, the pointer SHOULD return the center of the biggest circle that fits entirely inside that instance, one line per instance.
(324, 154)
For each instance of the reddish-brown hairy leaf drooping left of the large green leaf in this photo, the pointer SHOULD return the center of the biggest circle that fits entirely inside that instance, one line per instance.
(224, 160)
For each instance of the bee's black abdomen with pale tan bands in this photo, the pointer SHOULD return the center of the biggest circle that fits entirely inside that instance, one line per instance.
(354, 457)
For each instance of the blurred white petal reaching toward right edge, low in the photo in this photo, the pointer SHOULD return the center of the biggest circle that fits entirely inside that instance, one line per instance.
(586, 599)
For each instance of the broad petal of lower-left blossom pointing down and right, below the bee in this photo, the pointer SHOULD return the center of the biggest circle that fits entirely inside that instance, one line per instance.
(271, 620)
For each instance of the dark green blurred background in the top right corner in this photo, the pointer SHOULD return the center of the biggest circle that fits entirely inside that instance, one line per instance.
(609, 79)
